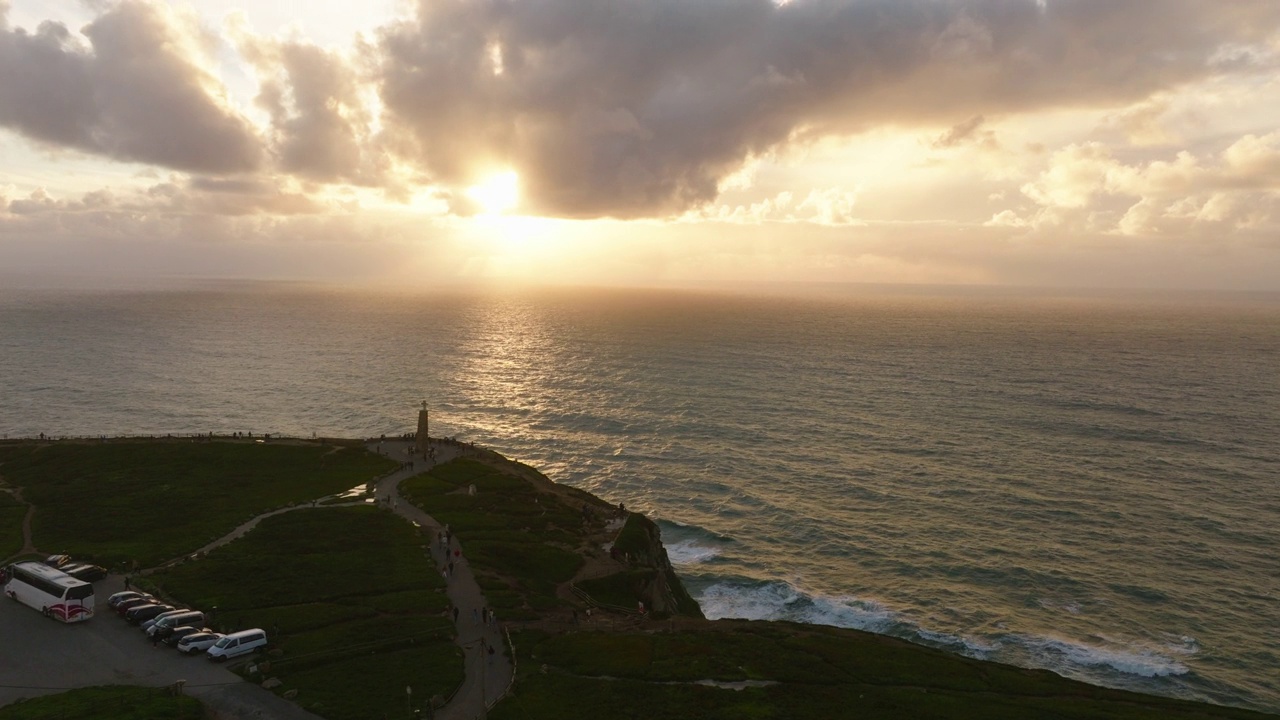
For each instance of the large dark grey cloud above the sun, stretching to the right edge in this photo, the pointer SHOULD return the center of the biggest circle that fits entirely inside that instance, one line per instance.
(641, 107)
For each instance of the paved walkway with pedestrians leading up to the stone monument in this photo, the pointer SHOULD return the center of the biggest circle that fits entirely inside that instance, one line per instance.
(487, 677)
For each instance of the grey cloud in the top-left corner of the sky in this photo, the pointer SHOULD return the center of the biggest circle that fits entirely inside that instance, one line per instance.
(135, 94)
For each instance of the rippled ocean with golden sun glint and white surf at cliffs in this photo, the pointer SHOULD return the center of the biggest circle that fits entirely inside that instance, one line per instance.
(1082, 482)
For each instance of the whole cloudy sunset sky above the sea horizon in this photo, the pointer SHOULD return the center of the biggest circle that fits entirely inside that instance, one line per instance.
(1110, 144)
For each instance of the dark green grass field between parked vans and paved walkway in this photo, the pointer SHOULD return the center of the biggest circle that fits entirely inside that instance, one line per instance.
(351, 603)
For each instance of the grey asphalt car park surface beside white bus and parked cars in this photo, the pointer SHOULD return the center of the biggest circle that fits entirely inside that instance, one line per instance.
(43, 657)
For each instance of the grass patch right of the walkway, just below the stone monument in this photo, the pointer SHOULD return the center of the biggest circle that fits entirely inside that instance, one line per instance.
(520, 543)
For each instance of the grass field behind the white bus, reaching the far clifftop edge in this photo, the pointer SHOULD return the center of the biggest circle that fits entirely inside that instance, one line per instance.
(147, 503)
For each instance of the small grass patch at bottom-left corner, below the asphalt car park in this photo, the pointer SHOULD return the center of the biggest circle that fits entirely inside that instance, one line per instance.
(107, 703)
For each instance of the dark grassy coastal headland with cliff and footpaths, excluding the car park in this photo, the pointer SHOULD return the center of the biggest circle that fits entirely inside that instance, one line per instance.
(400, 580)
